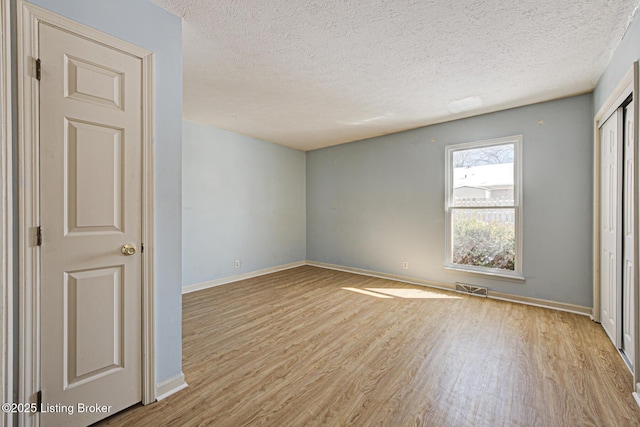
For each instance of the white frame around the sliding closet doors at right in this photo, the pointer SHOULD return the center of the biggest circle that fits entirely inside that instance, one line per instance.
(628, 86)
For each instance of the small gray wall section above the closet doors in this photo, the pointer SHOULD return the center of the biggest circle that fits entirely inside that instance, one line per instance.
(622, 60)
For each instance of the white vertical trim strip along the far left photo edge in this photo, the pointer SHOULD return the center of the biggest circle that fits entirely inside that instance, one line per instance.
(6, 227)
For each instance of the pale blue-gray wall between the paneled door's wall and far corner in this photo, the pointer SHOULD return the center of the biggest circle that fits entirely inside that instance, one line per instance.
(244, 199)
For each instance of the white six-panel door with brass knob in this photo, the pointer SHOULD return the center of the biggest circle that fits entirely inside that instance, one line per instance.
(90, 200)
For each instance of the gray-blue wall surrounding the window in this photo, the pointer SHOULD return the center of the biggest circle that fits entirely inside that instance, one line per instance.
(375, 203)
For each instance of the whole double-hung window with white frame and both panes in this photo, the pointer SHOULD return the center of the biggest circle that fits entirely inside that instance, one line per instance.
(484, 206)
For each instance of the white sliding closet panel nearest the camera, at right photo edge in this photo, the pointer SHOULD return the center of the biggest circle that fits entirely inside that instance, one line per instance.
(628, 272)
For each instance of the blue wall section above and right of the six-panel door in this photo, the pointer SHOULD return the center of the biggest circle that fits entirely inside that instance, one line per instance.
(142, 23)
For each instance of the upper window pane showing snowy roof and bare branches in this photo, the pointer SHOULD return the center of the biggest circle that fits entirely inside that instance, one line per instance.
(483, 176)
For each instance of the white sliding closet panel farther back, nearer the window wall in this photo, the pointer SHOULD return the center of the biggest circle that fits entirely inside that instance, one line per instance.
(610, 241)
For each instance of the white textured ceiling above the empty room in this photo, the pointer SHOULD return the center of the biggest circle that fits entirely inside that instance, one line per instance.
(314, 73)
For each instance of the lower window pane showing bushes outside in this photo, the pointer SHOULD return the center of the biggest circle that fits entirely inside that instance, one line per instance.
(484, 238)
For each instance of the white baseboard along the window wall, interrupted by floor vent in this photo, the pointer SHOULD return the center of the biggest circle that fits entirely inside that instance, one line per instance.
(571, 308)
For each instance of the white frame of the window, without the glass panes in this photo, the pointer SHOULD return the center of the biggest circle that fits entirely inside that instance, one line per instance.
(517, 273)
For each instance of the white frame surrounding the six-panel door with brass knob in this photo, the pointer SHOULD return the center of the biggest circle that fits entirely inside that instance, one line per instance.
(28, 19)
